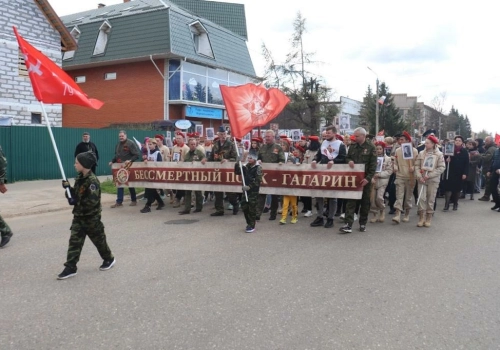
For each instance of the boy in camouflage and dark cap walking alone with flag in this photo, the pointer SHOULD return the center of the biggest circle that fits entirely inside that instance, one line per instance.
(86, 198)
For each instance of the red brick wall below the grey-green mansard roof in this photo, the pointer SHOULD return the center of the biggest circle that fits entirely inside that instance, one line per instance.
(135, 96)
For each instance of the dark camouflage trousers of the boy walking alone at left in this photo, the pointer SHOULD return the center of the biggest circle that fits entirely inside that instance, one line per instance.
(80, 228)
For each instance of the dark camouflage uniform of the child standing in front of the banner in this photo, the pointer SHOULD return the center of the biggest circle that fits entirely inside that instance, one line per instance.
(253, 178)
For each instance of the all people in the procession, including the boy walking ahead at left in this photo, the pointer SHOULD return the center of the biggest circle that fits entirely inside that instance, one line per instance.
(399, 174)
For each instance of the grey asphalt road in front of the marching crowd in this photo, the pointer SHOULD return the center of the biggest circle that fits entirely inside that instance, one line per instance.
(208, 285)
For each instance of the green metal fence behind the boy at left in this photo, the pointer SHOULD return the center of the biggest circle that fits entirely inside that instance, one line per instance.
(30, 155)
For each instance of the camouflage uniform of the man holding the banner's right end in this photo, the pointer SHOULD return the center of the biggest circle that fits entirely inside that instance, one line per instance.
(362, 154)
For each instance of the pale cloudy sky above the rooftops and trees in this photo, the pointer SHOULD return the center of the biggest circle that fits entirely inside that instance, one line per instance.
(425, 48)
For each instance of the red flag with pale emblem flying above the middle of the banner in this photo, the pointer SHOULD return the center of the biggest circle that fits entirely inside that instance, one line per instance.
(250, 105)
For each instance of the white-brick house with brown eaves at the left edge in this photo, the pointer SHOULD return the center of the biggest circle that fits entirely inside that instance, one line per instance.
(41, 27)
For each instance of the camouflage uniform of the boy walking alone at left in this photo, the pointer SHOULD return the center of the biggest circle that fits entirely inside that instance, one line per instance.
(86, 219)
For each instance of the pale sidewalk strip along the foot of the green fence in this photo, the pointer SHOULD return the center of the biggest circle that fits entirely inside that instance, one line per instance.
(34, 197)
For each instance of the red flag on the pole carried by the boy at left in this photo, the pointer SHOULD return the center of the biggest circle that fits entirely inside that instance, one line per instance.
(50, 83)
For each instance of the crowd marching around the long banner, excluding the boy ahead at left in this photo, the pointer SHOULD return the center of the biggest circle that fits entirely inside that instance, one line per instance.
(399, 174)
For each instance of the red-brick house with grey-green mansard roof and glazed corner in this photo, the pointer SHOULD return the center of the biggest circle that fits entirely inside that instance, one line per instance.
(154, 60)
